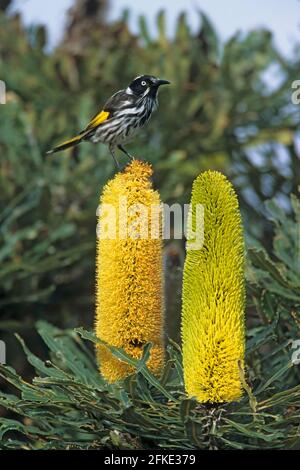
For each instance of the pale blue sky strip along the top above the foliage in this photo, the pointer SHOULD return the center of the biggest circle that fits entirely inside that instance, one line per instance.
(228, 16)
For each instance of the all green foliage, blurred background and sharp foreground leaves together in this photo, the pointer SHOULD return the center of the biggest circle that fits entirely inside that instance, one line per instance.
(222, 112)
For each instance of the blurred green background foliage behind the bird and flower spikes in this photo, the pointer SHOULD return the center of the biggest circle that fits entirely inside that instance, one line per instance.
(228, 108)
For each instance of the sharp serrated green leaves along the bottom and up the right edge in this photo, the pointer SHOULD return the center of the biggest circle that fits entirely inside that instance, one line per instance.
(69, 405)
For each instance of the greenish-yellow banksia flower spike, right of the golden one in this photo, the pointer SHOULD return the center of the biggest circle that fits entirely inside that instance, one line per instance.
(214, 293)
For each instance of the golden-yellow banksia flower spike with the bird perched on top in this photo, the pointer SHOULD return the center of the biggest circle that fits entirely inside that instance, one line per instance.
(129, 278)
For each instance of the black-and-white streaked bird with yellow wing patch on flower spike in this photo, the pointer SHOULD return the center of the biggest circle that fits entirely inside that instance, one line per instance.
(124, 113)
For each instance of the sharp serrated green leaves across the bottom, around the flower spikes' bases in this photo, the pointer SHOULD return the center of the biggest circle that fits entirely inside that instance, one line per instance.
(69, 405)
